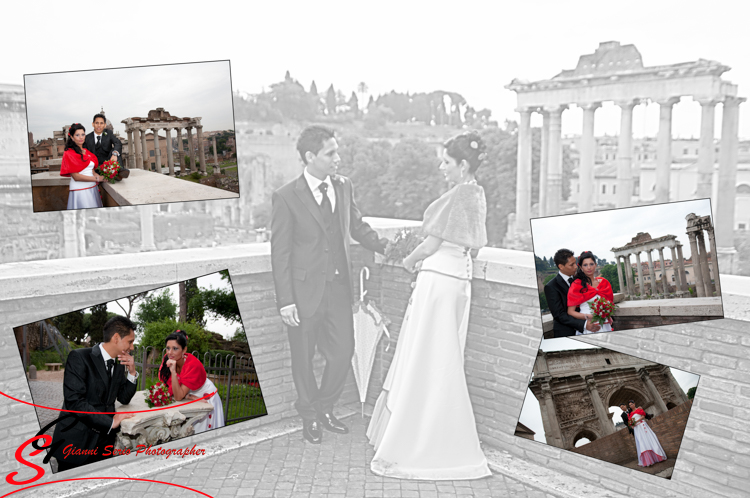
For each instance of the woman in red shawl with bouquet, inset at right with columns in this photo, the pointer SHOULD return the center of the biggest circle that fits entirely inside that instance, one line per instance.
(585, 289)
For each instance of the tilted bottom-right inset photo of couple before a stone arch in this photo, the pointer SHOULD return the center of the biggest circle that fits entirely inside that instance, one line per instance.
(607, 405)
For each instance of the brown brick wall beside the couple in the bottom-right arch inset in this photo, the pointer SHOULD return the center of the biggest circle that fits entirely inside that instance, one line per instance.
(620, 447)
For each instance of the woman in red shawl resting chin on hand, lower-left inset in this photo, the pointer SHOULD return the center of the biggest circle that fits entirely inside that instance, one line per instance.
(186, 378)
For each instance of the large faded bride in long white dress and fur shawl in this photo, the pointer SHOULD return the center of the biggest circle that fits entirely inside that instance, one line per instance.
(423, 425)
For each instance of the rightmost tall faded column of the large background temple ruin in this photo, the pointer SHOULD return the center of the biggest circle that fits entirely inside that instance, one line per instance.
(727, 257)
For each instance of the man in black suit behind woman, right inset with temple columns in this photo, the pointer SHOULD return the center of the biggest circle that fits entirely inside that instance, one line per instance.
(556, 292)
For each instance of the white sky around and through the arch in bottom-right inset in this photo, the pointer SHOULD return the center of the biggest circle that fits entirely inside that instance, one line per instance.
(530, 413)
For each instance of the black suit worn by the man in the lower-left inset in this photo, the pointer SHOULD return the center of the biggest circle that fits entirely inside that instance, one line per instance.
(86, 388)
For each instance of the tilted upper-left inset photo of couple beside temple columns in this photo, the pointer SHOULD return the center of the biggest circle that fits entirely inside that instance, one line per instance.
(131, 136)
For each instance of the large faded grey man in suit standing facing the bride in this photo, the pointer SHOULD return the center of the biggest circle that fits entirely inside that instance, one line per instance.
(312, 219)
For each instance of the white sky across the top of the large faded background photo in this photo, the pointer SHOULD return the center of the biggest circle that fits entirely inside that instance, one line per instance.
(474, 48)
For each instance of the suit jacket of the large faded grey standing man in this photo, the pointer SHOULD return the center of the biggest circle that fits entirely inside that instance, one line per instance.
(299, 245)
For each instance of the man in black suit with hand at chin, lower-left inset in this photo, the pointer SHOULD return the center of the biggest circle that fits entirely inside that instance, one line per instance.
(92, 383)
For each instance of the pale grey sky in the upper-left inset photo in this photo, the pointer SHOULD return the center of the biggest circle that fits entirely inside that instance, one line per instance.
(185, 90)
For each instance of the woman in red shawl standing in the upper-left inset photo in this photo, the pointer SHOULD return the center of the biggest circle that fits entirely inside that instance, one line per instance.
(78, 164)
